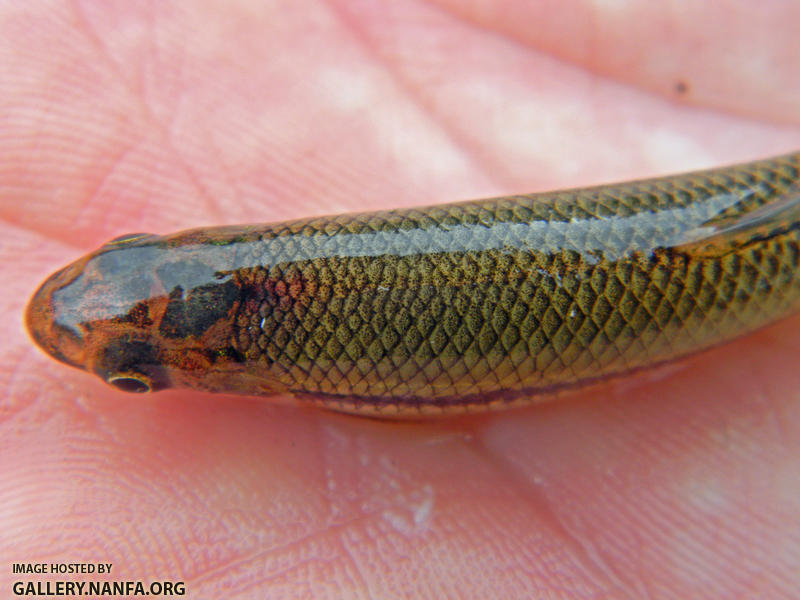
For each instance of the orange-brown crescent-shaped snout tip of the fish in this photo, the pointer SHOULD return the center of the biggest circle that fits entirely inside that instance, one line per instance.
(56, 340)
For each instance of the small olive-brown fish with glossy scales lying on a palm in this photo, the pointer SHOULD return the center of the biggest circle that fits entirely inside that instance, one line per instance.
(436, 310)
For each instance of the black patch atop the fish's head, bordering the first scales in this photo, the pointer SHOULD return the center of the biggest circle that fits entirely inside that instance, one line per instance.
(200, 309)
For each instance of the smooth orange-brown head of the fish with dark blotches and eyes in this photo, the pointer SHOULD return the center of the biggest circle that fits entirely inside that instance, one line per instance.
(139, 313)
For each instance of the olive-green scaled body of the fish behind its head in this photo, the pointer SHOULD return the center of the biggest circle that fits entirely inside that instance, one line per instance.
(452, 302)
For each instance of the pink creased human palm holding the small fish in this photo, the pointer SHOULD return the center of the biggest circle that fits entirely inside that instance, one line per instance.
(119, 117)
